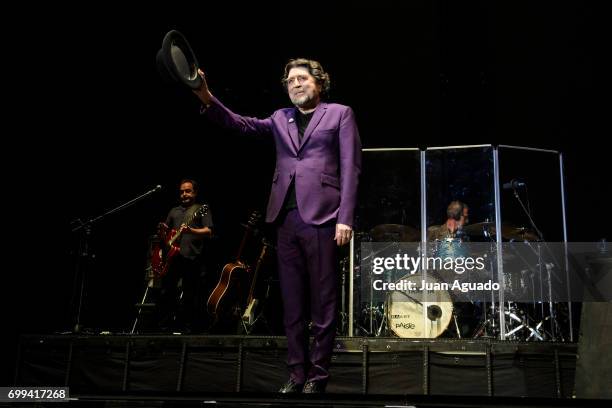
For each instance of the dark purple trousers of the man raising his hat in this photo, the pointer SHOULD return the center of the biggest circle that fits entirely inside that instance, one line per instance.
(307, 270)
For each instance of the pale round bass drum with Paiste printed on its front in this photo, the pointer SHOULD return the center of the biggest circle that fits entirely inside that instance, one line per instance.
(412, 315)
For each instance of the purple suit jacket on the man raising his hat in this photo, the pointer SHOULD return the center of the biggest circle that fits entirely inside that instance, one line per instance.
(325, 166)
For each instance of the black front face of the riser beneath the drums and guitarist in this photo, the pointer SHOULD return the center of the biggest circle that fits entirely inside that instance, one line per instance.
(107, 365)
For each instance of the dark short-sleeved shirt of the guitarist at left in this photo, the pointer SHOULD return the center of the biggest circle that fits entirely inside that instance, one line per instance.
(191, 245)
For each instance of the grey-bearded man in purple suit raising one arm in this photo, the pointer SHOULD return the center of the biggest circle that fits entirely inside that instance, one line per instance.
(312, 201)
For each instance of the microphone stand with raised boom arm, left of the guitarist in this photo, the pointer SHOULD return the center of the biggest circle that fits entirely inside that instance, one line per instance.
(85, 255)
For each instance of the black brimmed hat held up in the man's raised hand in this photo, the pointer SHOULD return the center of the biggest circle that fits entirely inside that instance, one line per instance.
(176, 61)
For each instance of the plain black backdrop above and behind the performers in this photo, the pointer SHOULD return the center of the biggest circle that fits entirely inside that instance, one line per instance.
(102, 128)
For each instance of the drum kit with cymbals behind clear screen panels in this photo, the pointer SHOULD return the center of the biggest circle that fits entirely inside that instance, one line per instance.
(433, 314)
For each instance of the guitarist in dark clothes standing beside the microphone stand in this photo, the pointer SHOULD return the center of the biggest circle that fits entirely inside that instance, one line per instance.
(182, 287)
